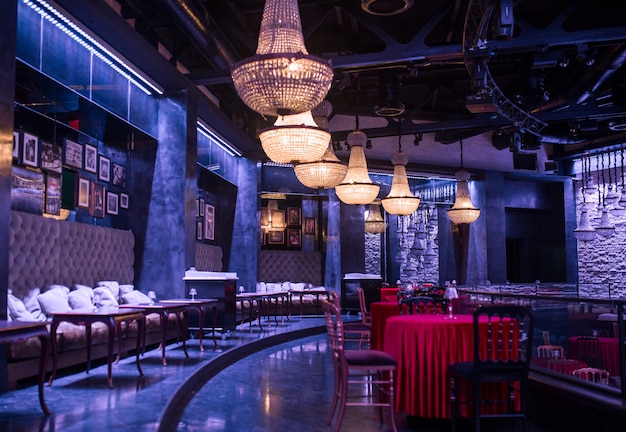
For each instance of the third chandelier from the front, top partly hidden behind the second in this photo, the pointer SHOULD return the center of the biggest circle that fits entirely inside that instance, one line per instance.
(328, 171)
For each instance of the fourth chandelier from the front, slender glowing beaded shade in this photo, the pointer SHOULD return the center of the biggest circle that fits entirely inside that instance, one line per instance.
(357, 187)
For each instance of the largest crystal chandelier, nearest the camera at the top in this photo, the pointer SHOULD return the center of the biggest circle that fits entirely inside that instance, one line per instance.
(282, 77)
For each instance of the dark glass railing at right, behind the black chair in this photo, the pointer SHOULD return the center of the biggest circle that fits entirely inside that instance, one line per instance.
(577, 339)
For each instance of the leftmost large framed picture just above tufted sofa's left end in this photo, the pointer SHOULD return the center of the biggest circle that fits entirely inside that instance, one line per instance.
(27, 189)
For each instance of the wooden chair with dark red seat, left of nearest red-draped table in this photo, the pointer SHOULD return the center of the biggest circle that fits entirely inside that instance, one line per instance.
(357, 369)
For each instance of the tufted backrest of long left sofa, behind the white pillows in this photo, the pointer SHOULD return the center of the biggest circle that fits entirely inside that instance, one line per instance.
(46, 251)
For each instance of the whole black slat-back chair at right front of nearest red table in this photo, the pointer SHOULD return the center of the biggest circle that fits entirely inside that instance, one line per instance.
(501, 355)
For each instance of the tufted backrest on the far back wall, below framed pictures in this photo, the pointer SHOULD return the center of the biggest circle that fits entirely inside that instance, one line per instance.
(295, 266)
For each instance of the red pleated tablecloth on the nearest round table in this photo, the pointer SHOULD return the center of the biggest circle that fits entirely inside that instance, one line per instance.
(425, 346)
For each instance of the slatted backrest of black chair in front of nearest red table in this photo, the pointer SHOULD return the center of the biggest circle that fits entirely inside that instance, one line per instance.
(503, 335)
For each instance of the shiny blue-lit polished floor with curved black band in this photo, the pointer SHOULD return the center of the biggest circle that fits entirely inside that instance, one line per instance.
(243, 385)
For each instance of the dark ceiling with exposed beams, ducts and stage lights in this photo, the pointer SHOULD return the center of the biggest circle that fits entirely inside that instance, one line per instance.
(556, 75)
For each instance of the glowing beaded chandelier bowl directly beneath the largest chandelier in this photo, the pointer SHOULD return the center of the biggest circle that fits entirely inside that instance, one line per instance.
(294, 139)
